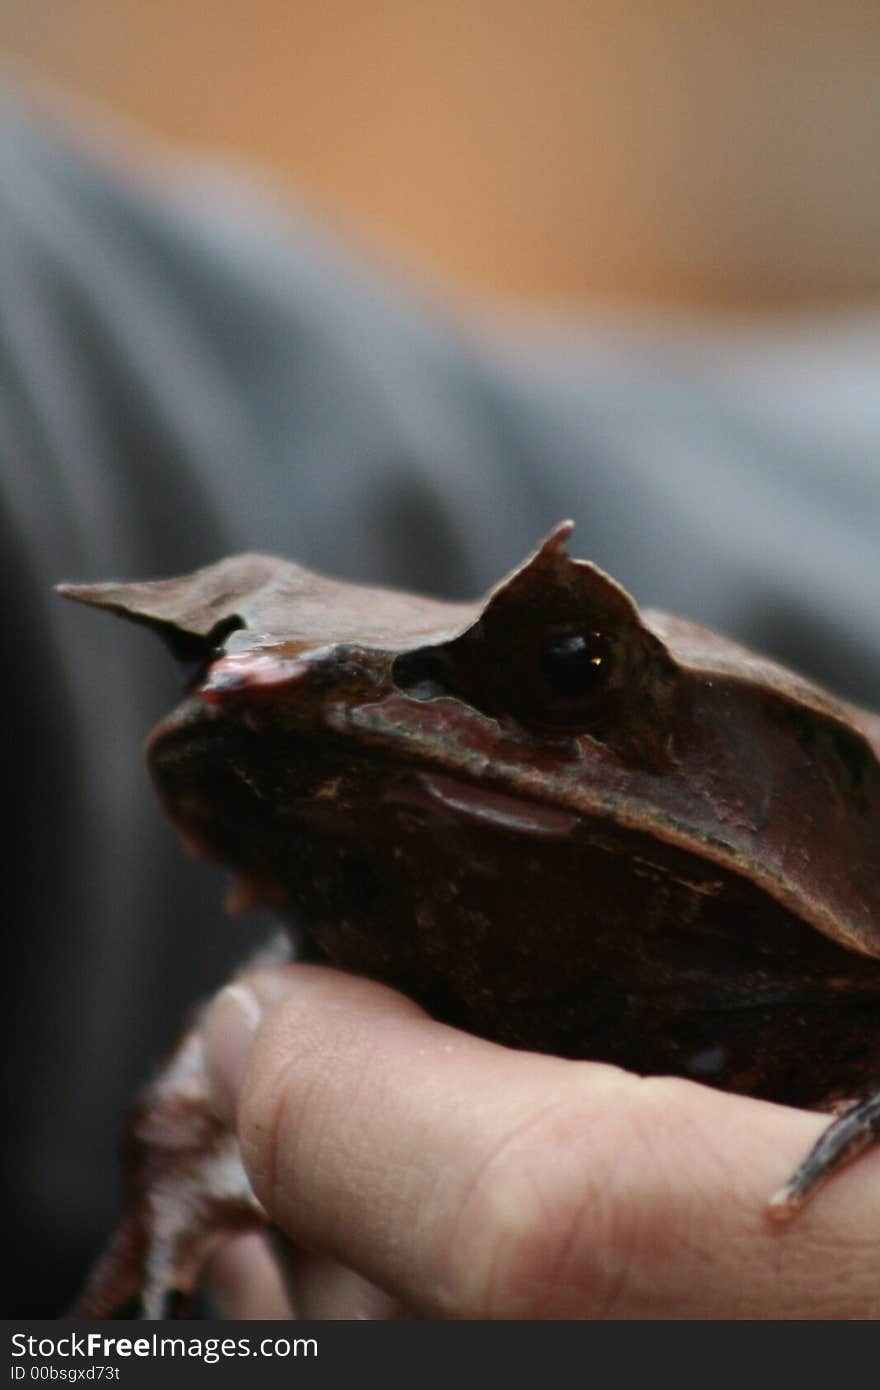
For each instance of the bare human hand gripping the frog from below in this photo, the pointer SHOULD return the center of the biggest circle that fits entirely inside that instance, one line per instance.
(423, 1172)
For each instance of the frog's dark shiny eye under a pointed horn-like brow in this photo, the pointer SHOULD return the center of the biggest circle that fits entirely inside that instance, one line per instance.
(560, 651)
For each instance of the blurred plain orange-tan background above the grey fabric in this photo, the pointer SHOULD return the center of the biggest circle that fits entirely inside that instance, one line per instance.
(558, 152)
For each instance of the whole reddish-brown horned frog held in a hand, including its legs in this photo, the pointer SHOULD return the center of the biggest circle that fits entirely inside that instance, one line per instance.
(550, 818)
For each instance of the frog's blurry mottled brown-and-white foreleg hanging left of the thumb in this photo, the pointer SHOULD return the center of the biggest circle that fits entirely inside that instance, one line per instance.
(187, 1192)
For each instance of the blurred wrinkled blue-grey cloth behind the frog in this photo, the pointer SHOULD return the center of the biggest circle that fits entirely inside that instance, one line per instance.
(188, 370)
